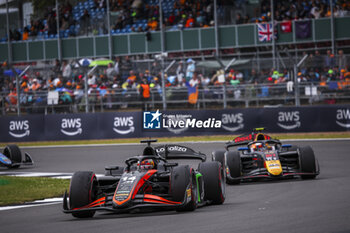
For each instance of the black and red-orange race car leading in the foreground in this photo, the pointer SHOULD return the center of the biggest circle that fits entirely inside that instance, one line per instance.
(149, 181)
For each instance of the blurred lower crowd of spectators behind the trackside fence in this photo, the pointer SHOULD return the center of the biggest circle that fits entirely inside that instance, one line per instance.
(122, 76)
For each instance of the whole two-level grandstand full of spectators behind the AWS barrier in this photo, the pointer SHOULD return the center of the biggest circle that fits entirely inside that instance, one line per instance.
(297, 58)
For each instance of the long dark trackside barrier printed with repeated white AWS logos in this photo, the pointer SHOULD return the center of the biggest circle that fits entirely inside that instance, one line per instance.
(130, 124)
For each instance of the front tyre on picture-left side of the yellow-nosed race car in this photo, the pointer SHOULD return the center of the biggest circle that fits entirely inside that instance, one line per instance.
(233, 164)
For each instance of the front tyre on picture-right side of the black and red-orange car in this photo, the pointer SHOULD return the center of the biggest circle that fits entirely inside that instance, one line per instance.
(183, 181)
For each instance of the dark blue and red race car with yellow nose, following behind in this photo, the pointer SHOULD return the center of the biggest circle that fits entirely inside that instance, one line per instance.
(263, 157)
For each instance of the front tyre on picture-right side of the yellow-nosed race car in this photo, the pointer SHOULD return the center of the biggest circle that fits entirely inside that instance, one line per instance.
(307, 162)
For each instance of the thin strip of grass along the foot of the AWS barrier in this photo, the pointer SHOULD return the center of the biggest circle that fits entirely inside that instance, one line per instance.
(185, 139)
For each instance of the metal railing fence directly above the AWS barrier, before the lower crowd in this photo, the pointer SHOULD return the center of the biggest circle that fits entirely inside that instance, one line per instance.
(209, 97)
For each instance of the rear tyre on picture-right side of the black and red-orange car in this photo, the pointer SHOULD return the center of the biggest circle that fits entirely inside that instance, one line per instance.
(214, 181)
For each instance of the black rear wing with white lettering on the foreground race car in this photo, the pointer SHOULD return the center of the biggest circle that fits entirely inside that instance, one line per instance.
(173, 151)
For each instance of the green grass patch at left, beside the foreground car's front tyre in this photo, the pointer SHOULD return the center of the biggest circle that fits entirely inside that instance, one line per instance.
(17, 190)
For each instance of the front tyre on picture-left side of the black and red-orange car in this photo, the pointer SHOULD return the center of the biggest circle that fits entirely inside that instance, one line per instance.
(82, 191)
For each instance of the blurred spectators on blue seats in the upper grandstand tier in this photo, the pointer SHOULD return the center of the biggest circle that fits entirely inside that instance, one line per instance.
(89, 17)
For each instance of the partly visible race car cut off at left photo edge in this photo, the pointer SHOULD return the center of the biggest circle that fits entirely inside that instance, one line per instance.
(12, 157)
